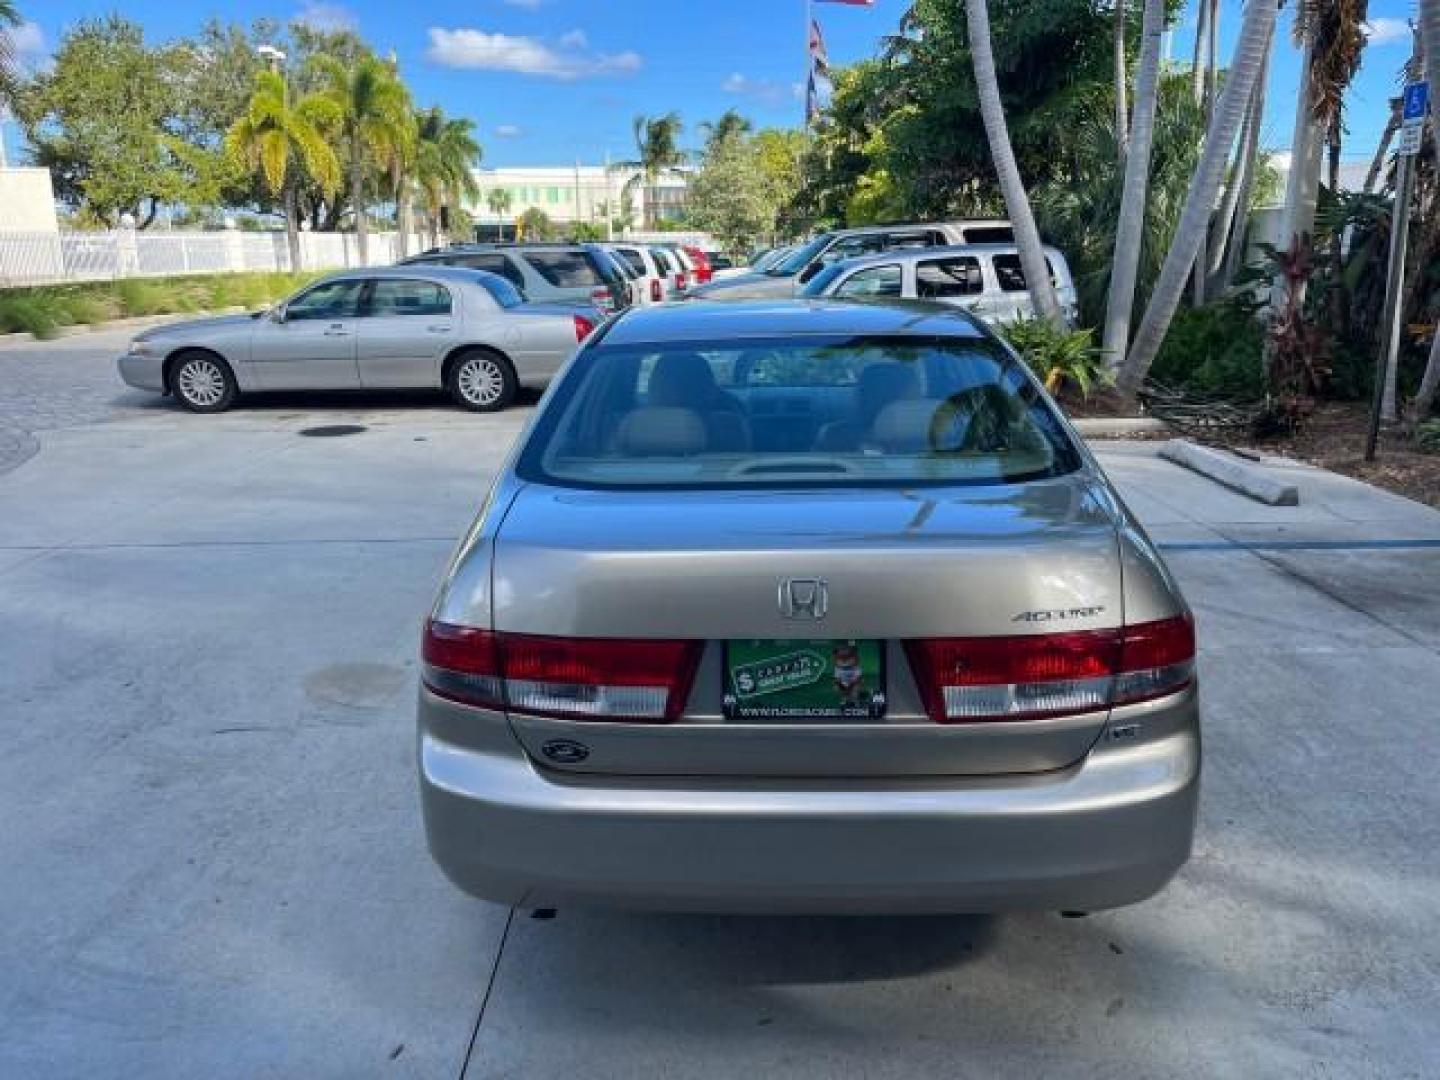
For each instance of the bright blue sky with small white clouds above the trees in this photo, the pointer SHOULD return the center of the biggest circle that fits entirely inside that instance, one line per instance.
(552, 81)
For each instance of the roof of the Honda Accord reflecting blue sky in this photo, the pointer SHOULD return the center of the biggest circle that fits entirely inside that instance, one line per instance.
(699, 320)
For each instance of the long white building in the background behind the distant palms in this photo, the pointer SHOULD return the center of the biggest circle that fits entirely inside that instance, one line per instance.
(570, 195)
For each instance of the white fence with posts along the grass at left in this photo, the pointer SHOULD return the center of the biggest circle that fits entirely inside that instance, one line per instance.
(47, 258)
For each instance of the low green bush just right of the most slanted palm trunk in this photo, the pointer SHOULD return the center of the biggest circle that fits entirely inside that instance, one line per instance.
(1216, 349)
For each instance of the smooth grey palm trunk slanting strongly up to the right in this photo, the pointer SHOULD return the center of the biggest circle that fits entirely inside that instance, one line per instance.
(1255, 35)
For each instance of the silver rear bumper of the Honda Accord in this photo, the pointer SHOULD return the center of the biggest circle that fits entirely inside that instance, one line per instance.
(1108, 832)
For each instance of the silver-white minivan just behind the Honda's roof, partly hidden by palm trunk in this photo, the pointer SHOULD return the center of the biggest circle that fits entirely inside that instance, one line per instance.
(984, 279)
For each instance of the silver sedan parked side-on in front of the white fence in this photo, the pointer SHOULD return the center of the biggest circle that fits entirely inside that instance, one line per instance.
(467, 332)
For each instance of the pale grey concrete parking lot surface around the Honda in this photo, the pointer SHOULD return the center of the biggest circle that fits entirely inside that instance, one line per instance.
(214, 865)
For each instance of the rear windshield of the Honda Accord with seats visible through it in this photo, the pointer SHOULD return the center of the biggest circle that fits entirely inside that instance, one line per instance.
(811, 413)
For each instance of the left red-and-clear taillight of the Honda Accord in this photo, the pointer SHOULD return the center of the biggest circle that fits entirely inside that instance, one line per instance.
(580, 679)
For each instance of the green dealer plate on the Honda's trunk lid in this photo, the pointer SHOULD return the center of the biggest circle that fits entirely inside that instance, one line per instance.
(806, 679)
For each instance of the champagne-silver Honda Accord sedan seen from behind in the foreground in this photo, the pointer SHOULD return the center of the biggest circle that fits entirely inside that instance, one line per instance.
(807, 607)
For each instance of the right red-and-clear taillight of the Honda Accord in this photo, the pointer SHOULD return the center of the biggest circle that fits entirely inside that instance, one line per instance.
(1030, 678)
